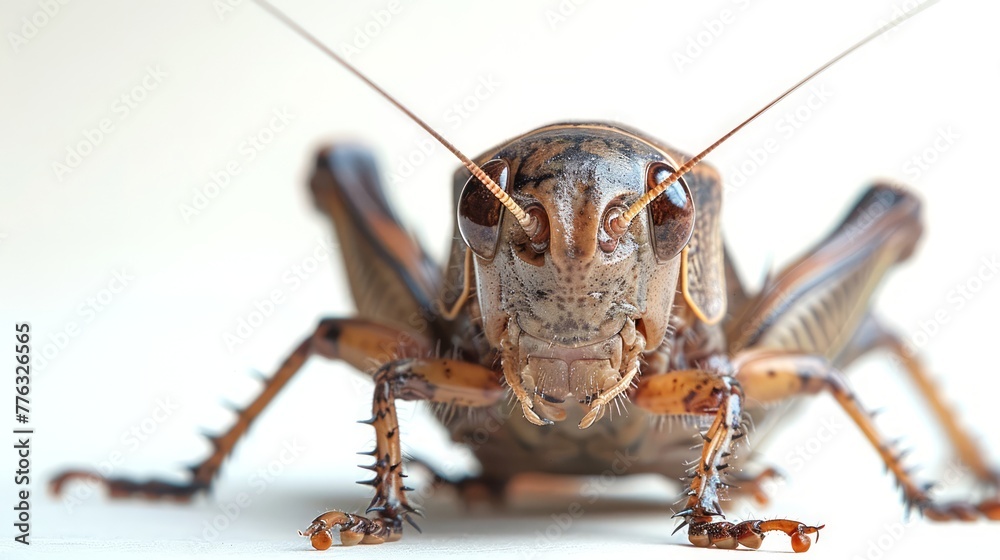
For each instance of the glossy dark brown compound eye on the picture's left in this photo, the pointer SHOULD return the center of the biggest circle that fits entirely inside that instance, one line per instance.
(480, 213)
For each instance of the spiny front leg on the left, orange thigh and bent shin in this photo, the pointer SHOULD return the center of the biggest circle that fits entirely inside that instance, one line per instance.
(435, 380)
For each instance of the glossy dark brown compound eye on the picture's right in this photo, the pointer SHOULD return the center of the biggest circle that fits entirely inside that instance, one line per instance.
(671, 214)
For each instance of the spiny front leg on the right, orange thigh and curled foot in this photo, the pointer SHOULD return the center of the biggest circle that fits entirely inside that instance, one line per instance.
(703, 393)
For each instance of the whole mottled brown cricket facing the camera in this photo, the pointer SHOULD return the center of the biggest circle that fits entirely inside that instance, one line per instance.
(589, 277)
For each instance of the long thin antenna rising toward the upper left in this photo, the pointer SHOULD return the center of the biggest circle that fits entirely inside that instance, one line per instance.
(528, 222)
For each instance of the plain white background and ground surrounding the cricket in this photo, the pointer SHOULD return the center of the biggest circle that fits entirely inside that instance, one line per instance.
(162, 337)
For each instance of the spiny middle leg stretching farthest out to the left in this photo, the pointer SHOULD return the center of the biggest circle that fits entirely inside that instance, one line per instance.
(360, 343)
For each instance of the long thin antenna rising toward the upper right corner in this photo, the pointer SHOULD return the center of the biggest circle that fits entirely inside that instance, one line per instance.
(620, 225)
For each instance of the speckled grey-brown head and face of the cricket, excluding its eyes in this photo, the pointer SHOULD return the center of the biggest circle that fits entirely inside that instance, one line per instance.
(572, 306)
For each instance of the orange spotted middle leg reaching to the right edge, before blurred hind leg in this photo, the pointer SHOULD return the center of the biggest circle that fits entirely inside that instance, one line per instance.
(771, 375)
